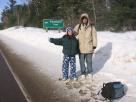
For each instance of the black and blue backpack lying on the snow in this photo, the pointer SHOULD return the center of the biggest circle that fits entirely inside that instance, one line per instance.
(112, 90)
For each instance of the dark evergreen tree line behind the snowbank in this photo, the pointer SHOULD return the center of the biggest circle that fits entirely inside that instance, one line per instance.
(113, 15)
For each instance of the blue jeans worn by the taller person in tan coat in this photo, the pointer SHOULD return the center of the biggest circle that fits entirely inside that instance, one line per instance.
(86, 59)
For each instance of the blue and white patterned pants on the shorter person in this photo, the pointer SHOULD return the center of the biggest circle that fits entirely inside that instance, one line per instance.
(69, 61)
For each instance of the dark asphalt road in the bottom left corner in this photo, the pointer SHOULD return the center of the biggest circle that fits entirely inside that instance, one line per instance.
(9, 89)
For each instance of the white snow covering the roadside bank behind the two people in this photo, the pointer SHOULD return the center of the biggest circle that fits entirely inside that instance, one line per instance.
(114, 58)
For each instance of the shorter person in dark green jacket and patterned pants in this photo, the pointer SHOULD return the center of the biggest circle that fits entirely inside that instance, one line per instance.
(70, 49)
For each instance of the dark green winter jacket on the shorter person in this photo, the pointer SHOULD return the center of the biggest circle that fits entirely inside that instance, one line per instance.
(70, 44)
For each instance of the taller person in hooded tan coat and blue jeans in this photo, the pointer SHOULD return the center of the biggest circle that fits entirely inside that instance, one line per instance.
(86, 34)
